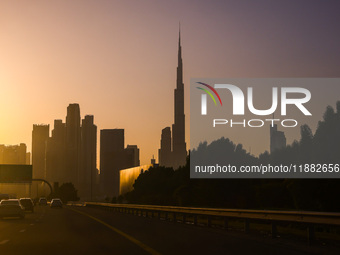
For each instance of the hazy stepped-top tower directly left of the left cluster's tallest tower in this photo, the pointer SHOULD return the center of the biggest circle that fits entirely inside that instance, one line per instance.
(56, 154)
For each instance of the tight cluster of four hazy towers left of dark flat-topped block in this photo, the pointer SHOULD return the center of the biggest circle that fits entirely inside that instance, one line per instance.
(70, 154)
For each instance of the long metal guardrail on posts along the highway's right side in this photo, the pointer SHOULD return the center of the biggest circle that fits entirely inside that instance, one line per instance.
(308, 219)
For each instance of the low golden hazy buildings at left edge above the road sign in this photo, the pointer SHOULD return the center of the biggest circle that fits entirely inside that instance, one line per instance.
(14, 154)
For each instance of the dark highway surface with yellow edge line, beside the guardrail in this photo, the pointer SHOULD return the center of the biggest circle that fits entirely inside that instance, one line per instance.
(83, 230)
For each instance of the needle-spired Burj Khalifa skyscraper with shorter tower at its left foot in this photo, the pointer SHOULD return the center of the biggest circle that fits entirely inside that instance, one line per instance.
(179, 153)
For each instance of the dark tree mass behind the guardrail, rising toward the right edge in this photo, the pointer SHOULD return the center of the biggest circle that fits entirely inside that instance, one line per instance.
(164, 186)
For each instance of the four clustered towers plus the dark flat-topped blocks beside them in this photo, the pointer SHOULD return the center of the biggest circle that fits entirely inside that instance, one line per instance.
(70, 155)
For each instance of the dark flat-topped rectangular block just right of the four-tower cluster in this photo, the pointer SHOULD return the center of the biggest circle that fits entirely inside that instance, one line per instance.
(111, 159)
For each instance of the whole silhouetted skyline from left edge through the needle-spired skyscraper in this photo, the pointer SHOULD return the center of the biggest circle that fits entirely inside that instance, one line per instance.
(69, 154)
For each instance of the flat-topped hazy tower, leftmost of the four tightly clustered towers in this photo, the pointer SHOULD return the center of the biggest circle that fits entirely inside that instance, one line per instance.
(40, 135)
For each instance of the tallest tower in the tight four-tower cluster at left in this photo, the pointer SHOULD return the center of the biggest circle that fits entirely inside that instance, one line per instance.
(73, 143)
